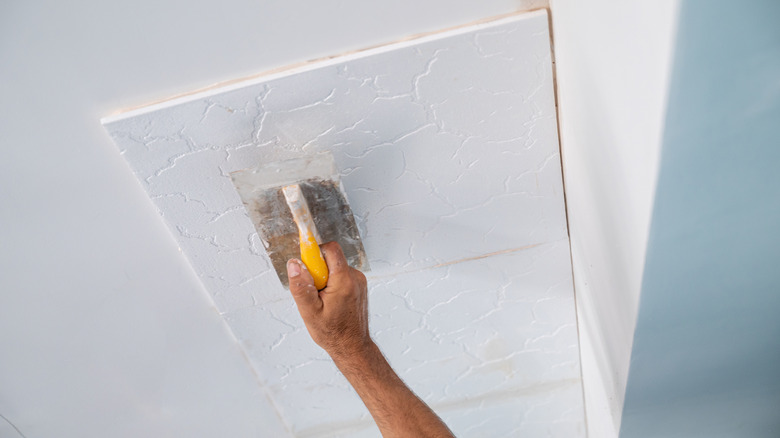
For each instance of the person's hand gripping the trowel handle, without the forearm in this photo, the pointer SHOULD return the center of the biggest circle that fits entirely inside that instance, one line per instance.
(337, 316)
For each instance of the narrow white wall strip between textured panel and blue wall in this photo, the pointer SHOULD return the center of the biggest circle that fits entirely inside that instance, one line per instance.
(612, 63)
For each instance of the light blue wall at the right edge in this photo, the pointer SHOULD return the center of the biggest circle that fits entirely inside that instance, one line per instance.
(706, 347)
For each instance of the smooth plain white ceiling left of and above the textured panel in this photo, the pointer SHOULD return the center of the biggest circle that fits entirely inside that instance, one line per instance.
(104, 328)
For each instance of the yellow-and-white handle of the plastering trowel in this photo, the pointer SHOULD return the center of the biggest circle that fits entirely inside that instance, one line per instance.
(311, 255)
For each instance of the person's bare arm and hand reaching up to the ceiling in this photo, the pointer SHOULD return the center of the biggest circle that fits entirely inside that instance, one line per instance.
(337, 320)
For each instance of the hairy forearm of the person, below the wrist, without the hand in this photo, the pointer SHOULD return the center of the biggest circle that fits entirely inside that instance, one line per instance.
(395, 408)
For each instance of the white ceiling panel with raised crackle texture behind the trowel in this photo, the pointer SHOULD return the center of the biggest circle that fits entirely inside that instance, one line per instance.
(448, 150)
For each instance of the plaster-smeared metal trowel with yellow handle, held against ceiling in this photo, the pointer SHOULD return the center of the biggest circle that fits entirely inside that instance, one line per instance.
(296, 205)
